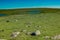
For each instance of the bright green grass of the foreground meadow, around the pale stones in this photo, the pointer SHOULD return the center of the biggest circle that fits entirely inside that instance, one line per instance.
(49, 22)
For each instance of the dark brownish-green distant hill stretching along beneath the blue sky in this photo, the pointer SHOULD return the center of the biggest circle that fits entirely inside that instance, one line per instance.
(27, 10)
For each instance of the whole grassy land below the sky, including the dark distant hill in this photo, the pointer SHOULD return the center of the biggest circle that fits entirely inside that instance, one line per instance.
(48, 19)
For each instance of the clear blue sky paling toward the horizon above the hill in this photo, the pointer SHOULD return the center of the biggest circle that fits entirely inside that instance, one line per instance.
(10, 4)
